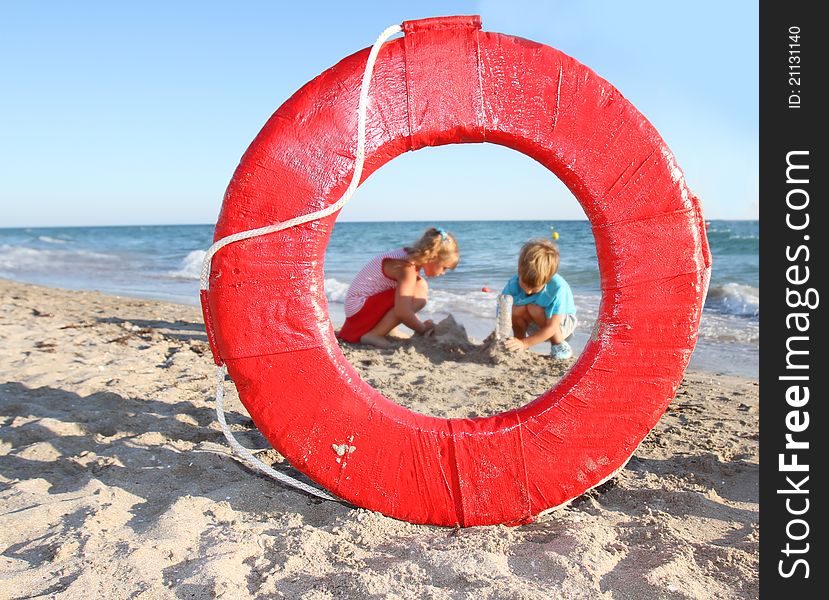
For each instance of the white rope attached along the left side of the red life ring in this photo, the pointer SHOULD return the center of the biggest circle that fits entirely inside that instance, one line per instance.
(204, 283)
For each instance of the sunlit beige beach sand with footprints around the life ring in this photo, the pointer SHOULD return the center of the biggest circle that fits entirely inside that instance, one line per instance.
(115, 481)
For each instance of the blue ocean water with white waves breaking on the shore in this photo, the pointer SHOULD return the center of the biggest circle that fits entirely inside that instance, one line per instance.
(164, 262)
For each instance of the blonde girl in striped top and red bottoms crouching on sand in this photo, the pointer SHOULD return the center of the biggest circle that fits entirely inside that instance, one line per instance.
(389, 290)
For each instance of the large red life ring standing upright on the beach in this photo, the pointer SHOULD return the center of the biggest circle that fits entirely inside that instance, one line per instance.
(444, 82)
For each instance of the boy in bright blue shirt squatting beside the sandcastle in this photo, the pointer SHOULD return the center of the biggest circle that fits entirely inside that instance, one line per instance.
(542, 301)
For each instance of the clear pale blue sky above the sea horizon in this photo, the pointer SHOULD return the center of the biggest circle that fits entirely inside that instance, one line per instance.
(137, 113)
